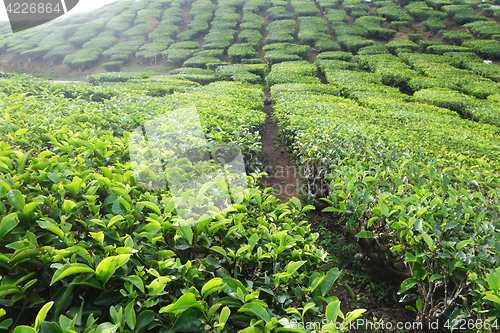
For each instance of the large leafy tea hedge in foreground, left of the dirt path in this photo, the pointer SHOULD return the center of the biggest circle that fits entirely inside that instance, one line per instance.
(100, 232)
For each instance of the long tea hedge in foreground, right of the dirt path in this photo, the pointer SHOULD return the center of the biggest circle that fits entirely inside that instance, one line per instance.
(327, 132)
